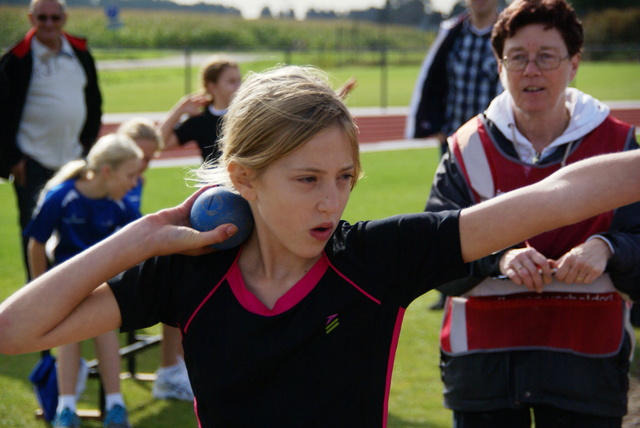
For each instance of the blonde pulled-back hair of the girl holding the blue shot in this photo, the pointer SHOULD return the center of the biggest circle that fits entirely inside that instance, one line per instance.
(274, 113)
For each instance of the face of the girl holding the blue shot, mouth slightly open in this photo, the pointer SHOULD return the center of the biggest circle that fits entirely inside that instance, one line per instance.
(299, 199)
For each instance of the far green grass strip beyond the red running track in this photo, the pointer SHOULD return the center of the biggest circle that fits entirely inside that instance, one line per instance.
(137, 90)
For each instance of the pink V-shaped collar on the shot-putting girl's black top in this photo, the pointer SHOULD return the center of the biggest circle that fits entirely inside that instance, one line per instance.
(288, 300)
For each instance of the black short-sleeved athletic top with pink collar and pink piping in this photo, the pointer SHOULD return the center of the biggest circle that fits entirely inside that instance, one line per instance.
(323, 355)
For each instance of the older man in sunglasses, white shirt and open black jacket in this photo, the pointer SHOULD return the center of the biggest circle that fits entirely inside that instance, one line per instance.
(50, 103)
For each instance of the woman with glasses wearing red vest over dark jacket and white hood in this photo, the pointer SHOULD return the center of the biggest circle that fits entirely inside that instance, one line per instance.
(539, 329)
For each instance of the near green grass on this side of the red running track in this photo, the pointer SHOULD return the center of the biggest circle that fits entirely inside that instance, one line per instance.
(395, 182)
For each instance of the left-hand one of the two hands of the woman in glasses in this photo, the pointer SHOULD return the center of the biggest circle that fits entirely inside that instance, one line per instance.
(526, 266)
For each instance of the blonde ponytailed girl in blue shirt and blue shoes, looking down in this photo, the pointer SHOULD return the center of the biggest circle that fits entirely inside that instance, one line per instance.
(81, 205)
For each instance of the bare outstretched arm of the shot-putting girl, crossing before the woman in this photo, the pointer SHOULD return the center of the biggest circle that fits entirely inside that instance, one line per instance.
(572, 194)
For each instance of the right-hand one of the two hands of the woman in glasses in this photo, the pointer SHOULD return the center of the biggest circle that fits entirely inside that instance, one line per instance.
(584, 263)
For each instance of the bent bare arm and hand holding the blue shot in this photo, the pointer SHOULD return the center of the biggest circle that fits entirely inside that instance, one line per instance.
(71, 302)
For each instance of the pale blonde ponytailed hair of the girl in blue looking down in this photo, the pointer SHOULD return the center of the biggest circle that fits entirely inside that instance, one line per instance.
(112, 149)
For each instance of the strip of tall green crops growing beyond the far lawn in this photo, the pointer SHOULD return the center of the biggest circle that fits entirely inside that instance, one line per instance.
(171, 29)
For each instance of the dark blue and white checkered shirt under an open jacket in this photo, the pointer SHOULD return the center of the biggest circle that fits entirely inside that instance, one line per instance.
(473, 77)
